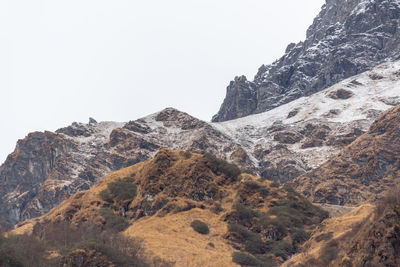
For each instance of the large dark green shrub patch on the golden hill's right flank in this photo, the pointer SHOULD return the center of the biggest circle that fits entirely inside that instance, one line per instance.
(284, 227)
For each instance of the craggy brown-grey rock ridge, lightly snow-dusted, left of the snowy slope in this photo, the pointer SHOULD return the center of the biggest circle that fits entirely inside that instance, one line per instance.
(46, 168)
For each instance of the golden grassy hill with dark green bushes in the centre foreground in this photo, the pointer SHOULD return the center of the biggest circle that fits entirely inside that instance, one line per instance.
(191, 209)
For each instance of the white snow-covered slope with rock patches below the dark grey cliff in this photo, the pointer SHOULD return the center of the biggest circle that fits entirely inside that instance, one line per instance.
(301, 135)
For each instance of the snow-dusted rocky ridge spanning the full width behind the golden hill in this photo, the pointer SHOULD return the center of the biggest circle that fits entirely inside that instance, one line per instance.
(278, 145)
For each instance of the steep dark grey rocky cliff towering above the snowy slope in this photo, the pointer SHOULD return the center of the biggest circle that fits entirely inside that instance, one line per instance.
(346, 38)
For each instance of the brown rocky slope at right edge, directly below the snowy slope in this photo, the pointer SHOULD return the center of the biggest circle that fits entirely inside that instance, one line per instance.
(363, 171)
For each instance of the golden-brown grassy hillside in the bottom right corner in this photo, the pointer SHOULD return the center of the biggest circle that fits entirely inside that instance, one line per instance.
(367, 236)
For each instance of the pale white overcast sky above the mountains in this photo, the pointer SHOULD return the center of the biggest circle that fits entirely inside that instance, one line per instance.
(63, 61)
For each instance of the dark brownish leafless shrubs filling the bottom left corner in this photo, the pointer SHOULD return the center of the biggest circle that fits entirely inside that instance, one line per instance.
(32, 251)
